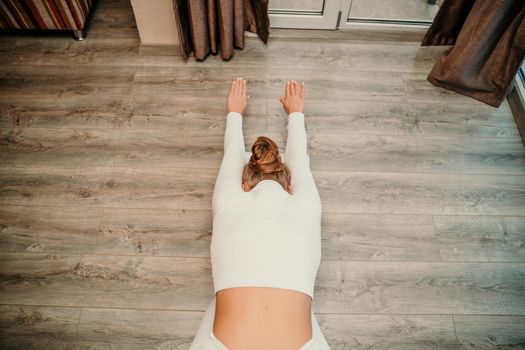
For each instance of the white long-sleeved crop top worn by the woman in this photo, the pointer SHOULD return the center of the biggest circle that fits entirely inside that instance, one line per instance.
(266, 237)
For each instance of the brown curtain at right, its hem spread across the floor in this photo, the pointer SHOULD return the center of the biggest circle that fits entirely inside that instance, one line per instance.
(489, 46)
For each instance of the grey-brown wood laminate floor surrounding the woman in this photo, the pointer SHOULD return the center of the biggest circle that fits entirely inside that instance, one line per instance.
(109, 153)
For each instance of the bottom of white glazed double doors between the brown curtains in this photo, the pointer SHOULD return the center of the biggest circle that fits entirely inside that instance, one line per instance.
(342, 14)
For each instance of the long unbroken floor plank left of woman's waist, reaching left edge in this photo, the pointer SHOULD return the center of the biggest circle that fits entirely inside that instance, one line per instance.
(94, 280)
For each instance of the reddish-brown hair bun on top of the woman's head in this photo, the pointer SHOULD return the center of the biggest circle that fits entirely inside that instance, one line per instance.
(265, 156)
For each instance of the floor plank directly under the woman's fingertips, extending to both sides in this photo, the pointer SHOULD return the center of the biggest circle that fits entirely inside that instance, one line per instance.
(267, 82)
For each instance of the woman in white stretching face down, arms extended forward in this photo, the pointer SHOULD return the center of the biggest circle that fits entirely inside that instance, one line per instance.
(266, 241)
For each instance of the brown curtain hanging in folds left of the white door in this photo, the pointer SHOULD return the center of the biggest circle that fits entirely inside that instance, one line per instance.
(205, 26)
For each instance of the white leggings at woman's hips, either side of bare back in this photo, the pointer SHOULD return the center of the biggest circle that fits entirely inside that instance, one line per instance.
(205, 339)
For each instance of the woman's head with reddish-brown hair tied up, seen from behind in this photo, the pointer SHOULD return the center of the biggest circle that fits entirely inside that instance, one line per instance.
(265, 164)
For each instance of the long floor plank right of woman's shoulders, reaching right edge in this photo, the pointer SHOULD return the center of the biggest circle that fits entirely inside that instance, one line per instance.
(414, 193)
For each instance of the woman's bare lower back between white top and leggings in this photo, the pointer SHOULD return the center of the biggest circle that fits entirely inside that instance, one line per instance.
(260, 318)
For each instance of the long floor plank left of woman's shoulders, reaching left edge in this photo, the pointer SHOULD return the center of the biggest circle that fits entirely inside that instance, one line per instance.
(112, 187)
